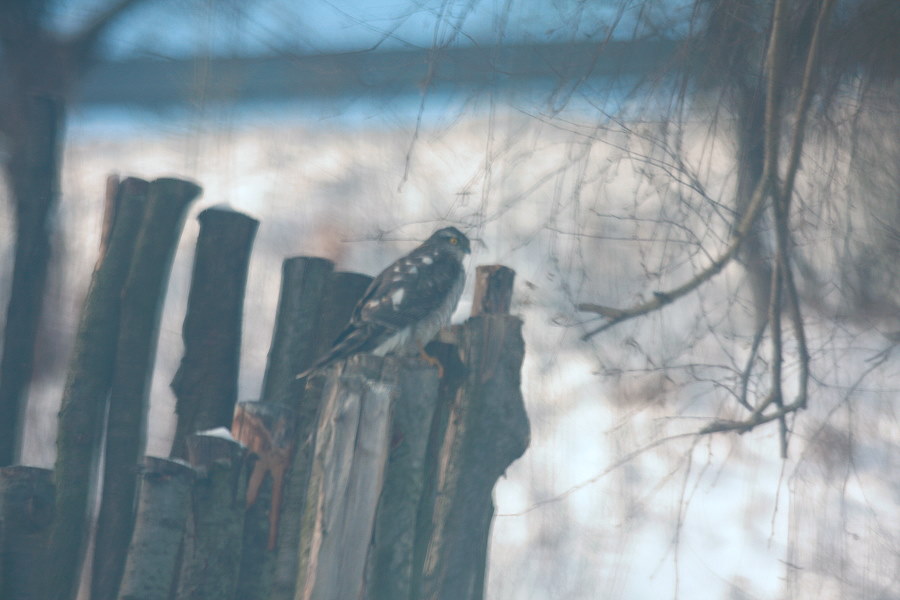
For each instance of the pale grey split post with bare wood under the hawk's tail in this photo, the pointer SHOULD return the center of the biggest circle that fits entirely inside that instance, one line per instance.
(352, 445)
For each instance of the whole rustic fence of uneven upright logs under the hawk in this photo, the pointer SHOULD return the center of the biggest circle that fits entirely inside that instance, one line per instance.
(372, 479)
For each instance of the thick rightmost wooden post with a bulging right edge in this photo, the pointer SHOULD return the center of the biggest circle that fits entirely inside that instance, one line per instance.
(484, 431)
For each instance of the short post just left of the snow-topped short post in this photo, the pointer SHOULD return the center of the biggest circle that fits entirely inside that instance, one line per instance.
(162, 510)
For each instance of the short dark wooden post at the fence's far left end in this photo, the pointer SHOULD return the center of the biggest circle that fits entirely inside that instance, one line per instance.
(26, 511)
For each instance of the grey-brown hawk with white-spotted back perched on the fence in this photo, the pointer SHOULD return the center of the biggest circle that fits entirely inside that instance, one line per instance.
(406, 304)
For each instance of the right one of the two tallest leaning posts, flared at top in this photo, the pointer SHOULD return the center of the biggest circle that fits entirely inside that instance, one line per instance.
(142, 300)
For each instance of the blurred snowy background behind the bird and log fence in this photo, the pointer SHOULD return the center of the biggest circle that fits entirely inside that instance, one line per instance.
(605, 150)
